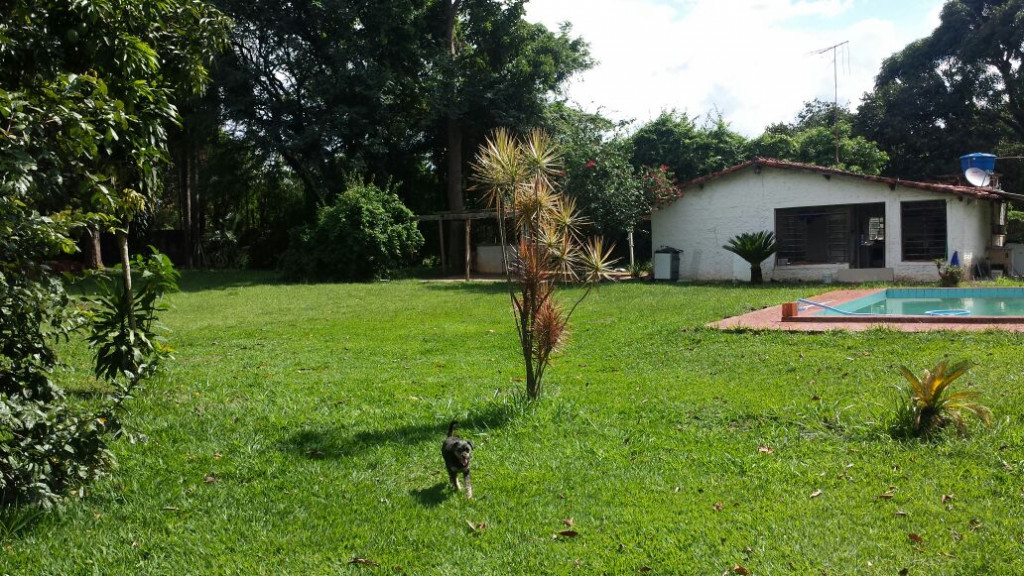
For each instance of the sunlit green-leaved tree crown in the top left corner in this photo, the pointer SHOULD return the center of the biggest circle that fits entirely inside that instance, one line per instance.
(139, 56)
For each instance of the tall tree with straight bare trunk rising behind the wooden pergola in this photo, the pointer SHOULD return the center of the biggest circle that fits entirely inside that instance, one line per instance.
(494, 69)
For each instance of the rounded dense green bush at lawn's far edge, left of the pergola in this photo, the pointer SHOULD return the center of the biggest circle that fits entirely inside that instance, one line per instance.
(366, 234)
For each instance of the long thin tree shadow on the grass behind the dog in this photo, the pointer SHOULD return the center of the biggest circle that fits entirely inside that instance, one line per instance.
(330, 442)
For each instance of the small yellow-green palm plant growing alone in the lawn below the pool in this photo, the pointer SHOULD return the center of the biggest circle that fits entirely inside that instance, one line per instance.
(930, 406)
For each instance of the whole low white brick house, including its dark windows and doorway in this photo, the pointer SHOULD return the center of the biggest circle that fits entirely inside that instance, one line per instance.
(829, 224)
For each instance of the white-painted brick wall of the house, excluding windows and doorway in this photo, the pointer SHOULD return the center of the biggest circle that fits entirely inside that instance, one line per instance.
(704, 220)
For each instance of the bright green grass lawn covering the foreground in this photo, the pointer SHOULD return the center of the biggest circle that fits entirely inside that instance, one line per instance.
(301, 428)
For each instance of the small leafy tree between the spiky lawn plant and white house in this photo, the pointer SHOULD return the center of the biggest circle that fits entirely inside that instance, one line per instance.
(599, 174)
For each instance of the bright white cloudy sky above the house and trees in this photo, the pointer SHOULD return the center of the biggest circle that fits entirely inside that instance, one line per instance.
(753, 61)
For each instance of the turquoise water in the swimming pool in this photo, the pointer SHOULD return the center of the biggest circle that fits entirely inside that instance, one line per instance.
(921, 302)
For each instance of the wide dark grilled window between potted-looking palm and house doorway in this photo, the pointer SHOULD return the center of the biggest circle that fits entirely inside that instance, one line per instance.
(814, 235)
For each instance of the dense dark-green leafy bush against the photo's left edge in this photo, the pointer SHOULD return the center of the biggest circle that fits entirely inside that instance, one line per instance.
(46, 447)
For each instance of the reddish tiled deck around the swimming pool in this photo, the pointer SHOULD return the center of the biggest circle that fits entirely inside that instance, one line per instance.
(772, 319)
